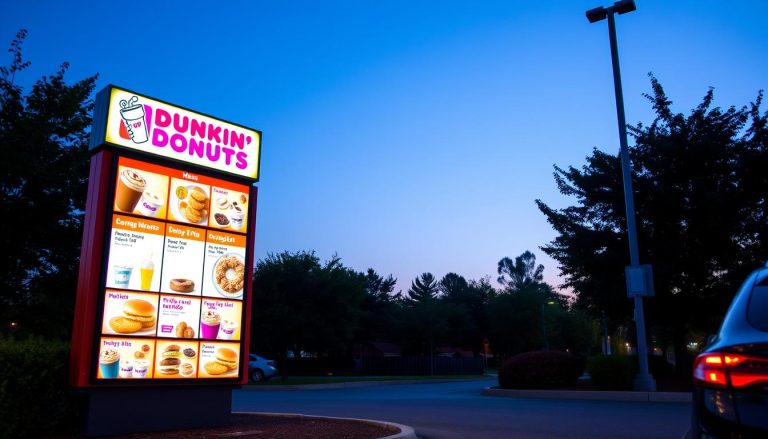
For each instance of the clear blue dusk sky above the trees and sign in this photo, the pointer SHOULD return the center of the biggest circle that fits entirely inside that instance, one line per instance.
(407, 136)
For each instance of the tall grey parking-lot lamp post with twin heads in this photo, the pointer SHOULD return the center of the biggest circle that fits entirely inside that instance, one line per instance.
(635, 274)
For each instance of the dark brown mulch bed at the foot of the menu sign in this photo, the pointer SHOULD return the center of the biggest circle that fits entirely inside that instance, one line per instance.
(244, 426)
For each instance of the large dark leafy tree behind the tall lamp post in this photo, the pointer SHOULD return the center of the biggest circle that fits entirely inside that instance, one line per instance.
(700, 199)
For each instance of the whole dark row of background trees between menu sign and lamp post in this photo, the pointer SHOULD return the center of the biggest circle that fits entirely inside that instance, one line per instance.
(303, 305)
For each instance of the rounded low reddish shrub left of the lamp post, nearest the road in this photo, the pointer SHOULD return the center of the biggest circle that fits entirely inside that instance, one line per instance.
(540, 370)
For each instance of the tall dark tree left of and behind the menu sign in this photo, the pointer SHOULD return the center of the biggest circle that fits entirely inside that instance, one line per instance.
(43, 179)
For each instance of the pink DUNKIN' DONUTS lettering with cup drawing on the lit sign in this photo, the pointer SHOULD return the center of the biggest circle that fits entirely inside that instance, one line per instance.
(184, 134)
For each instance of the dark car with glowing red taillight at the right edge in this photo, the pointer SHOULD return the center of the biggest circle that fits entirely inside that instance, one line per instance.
(730, 377)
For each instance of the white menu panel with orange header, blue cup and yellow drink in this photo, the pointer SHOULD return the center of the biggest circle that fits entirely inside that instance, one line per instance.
(136, 249)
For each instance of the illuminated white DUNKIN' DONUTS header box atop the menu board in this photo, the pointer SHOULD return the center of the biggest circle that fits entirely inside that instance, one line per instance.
(134, 121)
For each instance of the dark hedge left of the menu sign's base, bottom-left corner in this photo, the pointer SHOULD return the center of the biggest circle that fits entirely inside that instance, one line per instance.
(34, 395)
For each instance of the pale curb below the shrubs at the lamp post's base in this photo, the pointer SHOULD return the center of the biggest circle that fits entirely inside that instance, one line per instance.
(592, 395)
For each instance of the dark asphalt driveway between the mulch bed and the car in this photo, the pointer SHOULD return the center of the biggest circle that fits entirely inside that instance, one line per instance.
(448, 410)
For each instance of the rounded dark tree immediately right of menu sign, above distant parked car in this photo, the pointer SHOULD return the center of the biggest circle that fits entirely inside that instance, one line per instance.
(300, 304)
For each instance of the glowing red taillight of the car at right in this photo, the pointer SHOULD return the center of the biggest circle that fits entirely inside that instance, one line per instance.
(720, 370)
